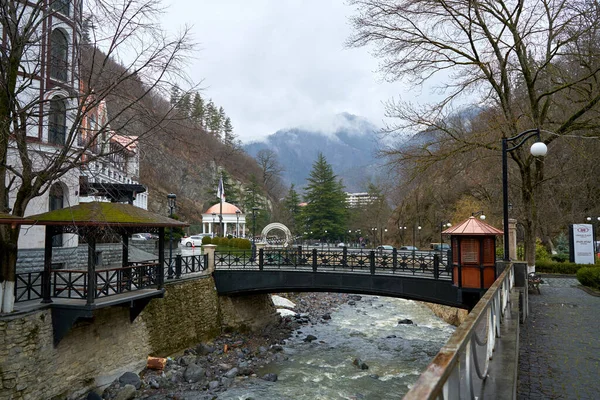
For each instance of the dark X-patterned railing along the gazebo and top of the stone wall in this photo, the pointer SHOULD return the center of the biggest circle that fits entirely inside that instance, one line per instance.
(74, 283)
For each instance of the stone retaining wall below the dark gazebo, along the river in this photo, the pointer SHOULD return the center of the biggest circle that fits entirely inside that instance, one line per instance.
(94, 353)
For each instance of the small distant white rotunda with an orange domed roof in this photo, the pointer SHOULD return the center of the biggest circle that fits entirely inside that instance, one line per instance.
(230, 216)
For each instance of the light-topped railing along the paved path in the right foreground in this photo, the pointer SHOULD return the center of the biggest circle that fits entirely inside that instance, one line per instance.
(462, 365)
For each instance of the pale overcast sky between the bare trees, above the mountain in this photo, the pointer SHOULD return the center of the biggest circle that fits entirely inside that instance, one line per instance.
(275, 64)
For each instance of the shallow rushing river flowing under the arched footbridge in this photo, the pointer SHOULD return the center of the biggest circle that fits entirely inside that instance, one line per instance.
(395, 353)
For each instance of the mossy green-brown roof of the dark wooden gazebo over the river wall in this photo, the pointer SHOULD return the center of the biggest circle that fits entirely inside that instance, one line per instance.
(105, 214)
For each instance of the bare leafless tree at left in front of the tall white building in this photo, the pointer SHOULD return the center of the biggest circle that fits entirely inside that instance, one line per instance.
(119, 57)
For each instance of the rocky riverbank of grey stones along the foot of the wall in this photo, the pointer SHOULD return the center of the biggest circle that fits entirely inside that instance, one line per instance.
(204, 371)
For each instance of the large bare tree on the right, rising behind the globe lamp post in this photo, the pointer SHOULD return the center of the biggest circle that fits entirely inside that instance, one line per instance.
(530, 64)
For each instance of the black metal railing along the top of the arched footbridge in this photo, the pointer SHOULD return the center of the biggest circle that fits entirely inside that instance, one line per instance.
(422, 264)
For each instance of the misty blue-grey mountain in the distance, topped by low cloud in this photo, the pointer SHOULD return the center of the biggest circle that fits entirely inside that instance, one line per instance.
(350, 146)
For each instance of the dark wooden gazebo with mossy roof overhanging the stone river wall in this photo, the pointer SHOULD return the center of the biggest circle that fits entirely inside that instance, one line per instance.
(75, 293)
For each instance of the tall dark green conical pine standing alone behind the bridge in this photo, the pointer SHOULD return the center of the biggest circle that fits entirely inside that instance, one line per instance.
(326, 212)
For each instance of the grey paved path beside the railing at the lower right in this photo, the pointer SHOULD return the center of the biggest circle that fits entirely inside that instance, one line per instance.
(560, 344)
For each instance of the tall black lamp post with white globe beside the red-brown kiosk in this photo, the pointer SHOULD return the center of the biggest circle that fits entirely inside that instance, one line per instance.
(538, 149)
